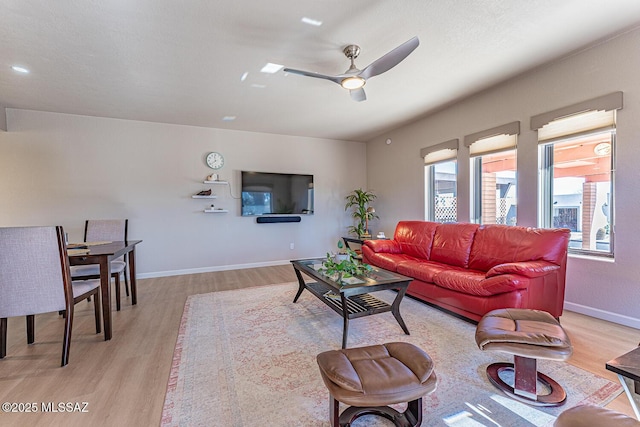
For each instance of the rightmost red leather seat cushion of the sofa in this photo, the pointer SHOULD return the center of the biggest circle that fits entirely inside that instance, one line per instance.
(474, 282)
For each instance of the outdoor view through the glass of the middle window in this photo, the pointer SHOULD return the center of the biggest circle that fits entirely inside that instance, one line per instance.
(494, 187)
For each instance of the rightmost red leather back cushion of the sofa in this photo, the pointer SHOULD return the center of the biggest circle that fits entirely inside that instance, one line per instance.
(500, 244)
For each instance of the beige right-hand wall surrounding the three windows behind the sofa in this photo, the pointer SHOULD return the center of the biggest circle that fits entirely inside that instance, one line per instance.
(604, 289)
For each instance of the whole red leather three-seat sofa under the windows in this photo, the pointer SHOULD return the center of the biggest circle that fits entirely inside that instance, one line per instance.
(471, 269)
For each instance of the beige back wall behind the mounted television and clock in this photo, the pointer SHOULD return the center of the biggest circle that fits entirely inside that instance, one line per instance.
(60, 169)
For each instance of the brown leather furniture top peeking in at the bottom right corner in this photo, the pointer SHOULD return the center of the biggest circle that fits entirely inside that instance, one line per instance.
(594, 416)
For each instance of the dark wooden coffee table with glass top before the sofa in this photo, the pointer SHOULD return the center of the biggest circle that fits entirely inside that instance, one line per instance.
(350, 298)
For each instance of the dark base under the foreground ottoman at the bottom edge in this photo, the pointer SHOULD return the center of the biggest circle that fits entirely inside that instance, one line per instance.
(411, 417)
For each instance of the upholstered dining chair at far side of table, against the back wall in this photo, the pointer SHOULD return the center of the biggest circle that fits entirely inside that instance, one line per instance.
(97, 230)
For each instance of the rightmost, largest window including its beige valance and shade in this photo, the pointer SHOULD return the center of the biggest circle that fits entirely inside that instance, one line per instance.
(576, 160)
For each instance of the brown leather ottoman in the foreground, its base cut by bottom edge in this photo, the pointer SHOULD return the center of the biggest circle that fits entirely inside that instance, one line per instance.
(369, 378)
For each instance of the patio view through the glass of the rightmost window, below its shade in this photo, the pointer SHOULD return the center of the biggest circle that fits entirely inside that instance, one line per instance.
(579, 195)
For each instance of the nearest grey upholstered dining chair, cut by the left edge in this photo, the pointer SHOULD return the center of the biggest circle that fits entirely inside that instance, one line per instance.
(35, 278)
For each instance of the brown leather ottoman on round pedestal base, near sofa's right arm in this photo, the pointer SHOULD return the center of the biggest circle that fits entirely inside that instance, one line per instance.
(528, 335)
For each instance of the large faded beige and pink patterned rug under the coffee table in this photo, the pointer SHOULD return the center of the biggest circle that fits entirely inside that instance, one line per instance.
(248, 358)
